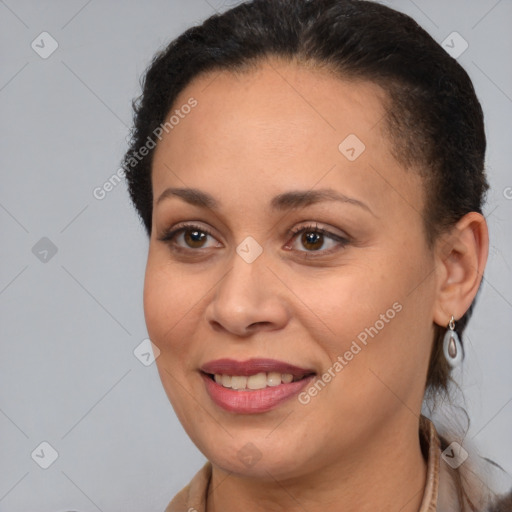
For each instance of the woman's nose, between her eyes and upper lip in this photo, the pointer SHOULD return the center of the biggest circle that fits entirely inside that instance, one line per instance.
(249, 298)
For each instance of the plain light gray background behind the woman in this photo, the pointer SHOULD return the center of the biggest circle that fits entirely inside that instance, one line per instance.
(70, 324)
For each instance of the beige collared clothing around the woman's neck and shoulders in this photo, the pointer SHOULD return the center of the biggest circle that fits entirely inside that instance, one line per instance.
(439, 493)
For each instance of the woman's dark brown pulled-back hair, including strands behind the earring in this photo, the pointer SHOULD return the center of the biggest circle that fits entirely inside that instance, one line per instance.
(433, 119)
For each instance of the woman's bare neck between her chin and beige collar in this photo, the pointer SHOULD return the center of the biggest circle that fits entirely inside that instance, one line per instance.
(389, 475)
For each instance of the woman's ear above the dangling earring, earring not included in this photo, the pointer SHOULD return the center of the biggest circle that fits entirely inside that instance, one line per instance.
(461, 255)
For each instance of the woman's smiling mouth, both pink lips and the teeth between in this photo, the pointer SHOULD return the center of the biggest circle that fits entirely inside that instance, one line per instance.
(253, 386)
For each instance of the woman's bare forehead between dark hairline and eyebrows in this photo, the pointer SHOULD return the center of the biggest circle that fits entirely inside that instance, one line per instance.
(276, 126)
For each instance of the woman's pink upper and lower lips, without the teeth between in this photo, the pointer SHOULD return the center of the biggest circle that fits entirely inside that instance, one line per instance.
(252, 401)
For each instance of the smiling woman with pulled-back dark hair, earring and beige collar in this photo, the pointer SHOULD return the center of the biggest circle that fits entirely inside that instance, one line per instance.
(310, 175)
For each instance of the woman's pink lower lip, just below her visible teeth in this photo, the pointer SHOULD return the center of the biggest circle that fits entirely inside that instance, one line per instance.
(253, 401)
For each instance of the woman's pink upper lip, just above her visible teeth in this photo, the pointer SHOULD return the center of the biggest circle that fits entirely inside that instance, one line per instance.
(252, 367)
